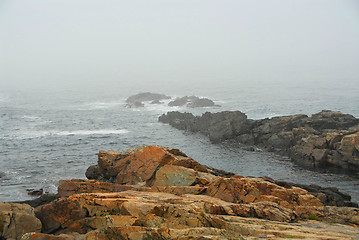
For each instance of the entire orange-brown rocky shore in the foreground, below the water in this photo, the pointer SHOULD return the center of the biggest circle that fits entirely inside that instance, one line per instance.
(154, 192)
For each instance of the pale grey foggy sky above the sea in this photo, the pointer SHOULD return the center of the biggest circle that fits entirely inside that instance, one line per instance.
(94, 43)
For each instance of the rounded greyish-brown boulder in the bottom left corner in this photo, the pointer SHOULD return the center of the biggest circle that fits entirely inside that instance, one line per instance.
(16, 220)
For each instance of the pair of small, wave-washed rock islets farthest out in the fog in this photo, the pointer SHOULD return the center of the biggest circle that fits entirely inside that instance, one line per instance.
(136, 101)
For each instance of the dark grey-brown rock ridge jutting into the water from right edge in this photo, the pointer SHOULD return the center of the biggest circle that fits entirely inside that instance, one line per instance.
(327, 139)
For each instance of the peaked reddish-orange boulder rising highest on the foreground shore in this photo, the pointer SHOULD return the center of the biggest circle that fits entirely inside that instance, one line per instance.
(139, 165)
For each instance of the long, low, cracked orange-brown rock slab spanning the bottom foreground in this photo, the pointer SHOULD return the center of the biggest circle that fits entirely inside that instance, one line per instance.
(143, 214)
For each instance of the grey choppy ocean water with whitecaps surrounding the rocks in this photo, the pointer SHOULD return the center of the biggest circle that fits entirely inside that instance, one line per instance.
(48, 136)
